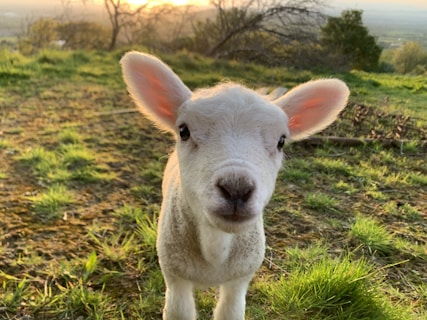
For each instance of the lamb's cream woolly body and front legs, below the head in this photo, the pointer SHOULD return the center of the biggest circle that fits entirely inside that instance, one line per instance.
(199, 255)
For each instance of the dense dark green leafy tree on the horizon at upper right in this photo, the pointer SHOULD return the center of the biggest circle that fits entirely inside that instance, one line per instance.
(346, 36)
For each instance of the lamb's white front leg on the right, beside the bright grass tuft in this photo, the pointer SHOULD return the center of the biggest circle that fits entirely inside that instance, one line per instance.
(232, 300)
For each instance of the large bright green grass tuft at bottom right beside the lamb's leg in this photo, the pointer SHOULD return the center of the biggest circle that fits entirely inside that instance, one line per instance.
(328, 290)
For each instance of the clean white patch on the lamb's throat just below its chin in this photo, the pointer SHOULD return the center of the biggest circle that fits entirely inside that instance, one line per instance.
(215, 244)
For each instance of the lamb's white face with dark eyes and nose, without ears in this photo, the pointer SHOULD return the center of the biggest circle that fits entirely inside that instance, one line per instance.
(230, 151)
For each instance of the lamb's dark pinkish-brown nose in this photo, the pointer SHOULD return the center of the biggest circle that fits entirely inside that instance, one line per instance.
(236, 190)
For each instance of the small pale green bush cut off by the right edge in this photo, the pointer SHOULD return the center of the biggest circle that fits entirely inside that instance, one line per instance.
(409, 57)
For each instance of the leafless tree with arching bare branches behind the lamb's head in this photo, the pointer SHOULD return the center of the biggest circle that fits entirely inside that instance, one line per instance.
(257, 29)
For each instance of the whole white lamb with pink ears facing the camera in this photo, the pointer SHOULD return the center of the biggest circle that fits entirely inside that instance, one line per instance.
(221, 175)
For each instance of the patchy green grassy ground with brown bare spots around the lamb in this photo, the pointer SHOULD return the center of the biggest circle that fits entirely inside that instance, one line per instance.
(80, 197)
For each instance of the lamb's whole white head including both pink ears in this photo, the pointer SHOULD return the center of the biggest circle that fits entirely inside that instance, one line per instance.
(229, 138)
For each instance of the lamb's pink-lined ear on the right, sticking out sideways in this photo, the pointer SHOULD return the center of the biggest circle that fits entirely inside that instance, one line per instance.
(313, 106)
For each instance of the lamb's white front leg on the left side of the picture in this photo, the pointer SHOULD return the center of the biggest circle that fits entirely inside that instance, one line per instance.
(179, 299)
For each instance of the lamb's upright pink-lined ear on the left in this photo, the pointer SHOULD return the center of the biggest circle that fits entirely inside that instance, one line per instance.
(156, 89)
